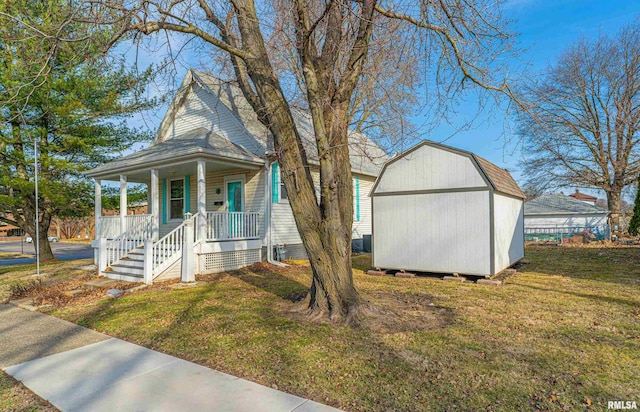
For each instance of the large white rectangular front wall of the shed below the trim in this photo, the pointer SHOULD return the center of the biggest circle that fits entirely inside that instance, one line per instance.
(438, 232)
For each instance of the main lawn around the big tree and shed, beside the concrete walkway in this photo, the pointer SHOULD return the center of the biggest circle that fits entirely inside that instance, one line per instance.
(562, 335)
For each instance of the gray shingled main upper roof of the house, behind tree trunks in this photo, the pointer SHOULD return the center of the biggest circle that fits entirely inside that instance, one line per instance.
(366, 157)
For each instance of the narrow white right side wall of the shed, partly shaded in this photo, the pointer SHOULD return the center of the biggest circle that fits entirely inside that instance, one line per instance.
(508, 231)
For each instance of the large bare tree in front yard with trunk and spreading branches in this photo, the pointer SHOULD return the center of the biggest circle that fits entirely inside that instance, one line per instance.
(329, 43)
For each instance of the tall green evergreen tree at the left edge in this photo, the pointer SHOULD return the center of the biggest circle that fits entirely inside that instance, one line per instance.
(68, 97)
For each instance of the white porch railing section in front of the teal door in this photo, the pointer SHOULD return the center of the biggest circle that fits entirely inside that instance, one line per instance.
(233, 225)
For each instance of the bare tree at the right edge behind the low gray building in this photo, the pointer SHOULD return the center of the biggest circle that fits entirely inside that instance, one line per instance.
(581, 120)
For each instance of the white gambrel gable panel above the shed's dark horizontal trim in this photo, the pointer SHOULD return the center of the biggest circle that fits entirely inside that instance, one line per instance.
(429, 168)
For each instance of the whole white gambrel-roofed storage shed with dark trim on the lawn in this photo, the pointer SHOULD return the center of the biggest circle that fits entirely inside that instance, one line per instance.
(444, 210)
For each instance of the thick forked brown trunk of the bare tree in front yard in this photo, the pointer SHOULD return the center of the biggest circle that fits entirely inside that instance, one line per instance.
(325, 228)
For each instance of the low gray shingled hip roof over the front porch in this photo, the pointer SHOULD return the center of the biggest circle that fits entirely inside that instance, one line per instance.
(196, 142)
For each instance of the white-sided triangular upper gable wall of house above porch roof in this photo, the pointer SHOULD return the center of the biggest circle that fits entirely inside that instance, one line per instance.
(202, 109)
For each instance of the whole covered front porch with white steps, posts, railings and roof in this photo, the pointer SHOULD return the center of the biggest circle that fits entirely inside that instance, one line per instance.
(205, 213)
